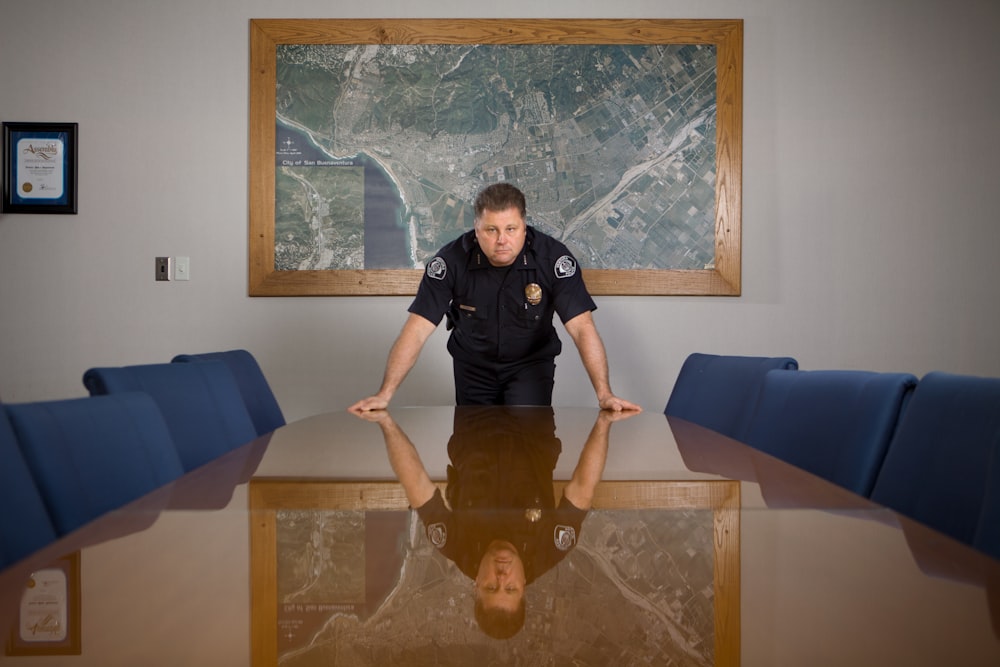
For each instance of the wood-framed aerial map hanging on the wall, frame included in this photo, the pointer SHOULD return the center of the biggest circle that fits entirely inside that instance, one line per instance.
(369, 140)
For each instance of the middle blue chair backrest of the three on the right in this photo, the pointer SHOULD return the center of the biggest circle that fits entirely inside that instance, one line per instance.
(836, 424)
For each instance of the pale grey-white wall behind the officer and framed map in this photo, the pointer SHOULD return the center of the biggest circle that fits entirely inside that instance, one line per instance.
(869, 180)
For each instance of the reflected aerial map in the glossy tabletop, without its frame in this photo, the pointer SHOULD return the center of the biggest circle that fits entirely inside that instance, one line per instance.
(637, 590)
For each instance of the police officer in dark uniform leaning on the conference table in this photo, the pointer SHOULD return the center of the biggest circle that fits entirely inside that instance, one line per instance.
(499, 286)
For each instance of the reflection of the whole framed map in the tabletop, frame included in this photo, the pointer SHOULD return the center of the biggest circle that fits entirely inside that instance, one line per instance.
(342, 572)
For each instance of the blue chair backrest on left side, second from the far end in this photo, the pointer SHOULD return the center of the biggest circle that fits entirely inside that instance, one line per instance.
(201, 404)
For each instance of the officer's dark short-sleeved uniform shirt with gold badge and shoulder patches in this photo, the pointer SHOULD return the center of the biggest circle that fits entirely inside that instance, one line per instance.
(496, 313)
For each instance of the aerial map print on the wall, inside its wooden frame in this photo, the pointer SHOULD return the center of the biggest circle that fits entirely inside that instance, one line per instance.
(381, 149)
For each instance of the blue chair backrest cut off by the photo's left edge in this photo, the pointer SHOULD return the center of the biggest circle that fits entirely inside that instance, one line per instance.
(25, 525)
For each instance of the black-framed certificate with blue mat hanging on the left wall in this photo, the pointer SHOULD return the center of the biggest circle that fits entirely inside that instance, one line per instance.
(39, 157)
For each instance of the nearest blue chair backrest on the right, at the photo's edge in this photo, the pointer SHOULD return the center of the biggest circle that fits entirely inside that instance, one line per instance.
(936, 468)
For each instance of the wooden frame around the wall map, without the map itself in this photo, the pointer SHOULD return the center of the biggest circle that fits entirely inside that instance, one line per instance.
(723, 277)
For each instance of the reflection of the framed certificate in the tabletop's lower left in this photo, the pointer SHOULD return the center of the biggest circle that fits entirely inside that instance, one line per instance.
(60, 579)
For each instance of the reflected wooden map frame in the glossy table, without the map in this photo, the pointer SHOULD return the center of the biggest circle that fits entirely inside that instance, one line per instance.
(268, 496)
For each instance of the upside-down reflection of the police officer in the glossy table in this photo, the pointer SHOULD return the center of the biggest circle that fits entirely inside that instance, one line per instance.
(498, 519)
